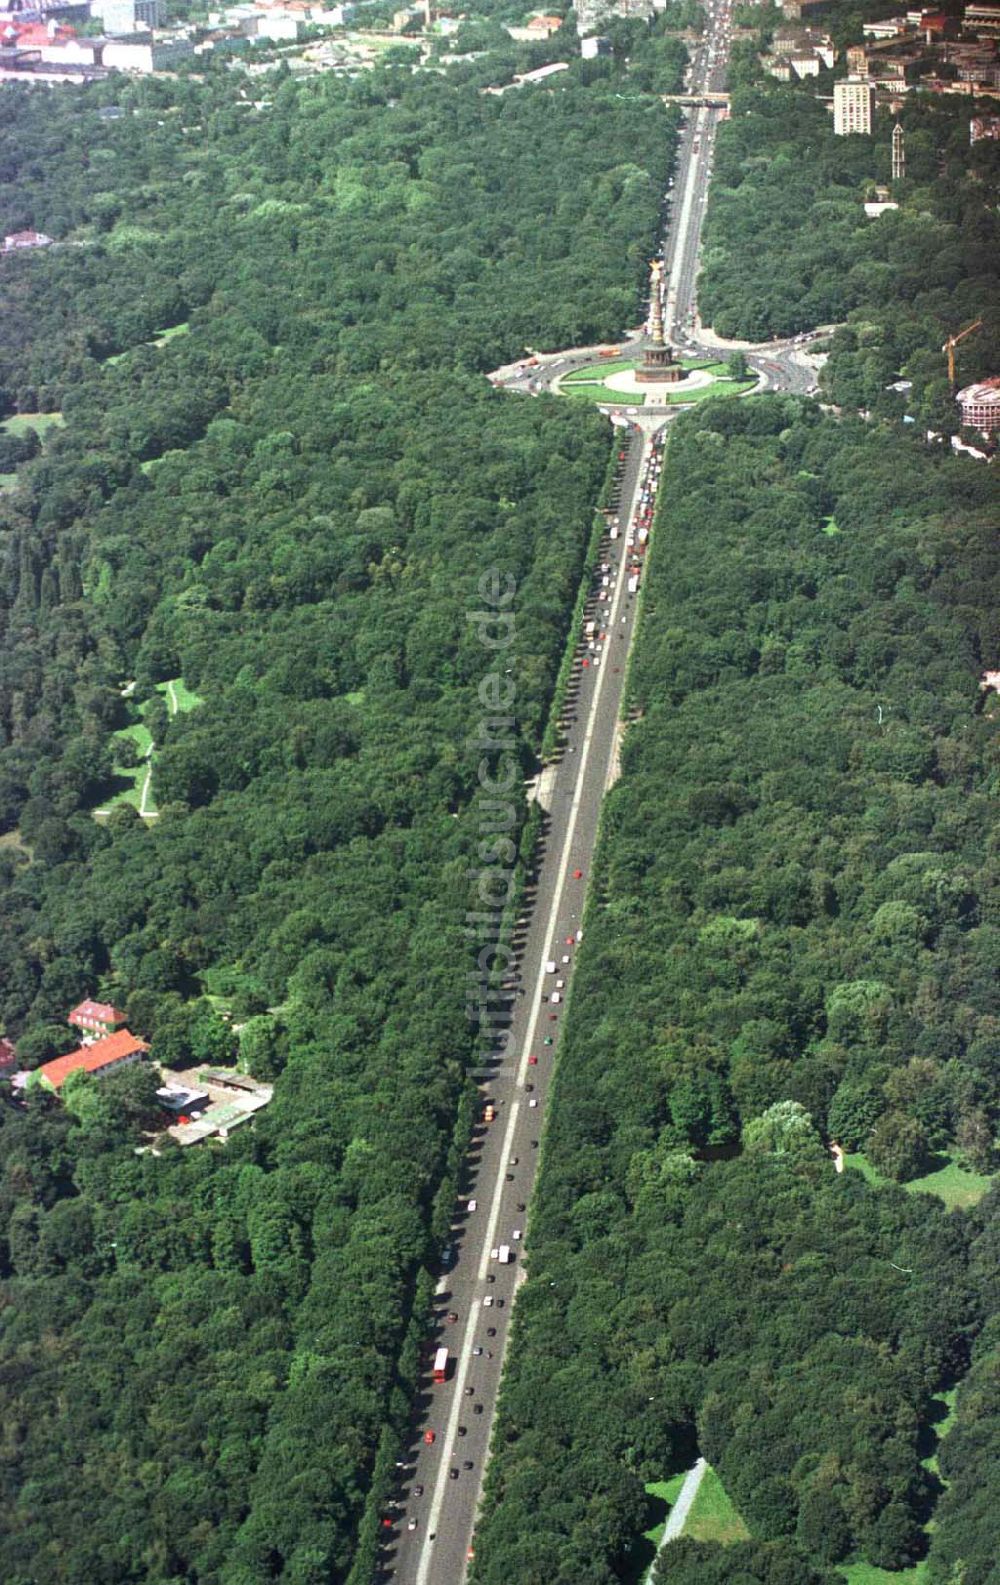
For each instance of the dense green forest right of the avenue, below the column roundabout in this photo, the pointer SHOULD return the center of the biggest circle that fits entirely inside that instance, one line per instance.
(792, 936)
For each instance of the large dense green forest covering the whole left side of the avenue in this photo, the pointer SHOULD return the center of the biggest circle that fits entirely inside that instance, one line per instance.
(289, 505)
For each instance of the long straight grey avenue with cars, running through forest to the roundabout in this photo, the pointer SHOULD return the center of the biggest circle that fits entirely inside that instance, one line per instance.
(503, 1164)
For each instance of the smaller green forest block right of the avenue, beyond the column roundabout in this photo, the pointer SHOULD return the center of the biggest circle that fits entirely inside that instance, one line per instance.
(788, 245)
